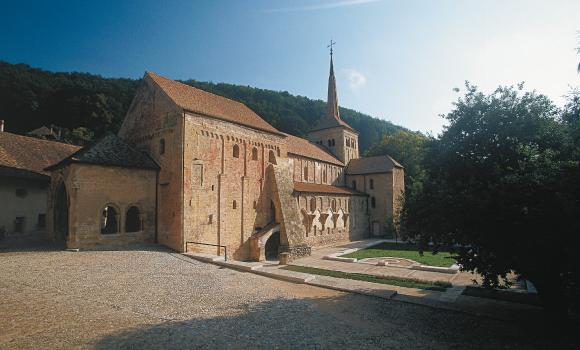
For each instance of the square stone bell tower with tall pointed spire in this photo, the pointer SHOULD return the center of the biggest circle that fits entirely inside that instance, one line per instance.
(331, 131)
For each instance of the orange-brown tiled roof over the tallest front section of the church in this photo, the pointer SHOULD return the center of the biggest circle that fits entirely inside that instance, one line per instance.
(199, 101)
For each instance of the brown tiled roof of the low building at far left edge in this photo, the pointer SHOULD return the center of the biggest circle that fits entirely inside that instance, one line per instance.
(26, 153)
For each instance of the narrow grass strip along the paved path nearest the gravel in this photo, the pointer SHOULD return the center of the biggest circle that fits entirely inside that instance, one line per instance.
(401, 282)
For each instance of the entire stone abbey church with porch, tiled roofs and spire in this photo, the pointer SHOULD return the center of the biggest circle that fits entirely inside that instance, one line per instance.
(199, 172)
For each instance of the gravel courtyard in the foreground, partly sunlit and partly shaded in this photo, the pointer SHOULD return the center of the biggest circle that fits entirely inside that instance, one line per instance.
(153, 298)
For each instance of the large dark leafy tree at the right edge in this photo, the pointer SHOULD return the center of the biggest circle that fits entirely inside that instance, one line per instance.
(502, 184)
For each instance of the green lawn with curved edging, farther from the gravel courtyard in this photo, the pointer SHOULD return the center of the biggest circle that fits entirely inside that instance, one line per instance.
(401, 250)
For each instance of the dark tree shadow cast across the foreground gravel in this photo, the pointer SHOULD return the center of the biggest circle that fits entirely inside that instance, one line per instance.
(342, 322)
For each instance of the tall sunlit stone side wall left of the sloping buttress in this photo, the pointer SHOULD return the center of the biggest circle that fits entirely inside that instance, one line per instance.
(224, 173)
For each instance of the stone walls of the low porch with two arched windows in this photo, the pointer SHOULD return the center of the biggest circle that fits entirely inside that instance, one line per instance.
(91, 188)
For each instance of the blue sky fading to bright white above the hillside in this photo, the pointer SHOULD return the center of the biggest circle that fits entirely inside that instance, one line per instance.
(396, 60)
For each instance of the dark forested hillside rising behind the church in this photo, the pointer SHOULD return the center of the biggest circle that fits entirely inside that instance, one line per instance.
(87, 105)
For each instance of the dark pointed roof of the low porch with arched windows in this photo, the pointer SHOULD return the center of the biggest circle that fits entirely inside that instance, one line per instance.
(110, 150)
